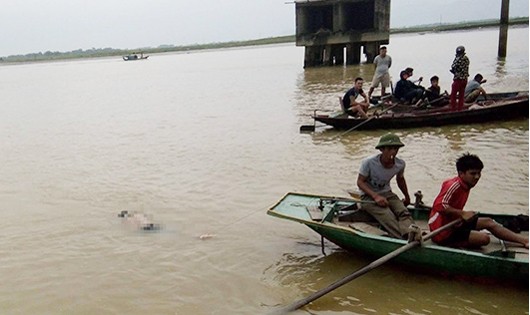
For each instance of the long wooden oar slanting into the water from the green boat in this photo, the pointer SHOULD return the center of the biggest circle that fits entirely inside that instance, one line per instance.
(365, 269)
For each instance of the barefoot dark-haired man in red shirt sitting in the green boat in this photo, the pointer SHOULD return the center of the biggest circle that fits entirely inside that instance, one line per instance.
(449, 205)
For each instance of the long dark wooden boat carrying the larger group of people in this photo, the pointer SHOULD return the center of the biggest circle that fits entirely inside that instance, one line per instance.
(497, 107)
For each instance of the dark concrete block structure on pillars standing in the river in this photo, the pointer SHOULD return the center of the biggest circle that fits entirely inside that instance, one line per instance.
(327, 27)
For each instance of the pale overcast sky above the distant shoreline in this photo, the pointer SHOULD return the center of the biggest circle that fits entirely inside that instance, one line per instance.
(28, 26)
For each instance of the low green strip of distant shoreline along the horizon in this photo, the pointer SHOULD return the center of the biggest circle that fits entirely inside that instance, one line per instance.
(110, 52)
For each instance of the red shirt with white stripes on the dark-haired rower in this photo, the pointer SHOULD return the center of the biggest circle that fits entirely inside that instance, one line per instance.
(454, 193)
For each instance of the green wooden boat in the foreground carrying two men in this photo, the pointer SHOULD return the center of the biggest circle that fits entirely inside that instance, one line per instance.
(340, 221)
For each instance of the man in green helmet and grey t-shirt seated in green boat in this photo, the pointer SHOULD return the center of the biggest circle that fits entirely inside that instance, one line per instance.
(374, 178)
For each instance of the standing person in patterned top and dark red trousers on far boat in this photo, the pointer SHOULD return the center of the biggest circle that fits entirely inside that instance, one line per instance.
(460, 71)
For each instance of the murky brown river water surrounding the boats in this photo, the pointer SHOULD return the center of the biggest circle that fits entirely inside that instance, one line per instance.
(204, 142)
